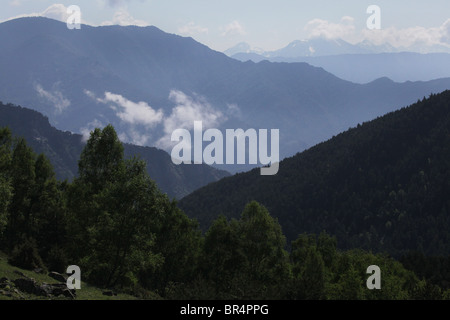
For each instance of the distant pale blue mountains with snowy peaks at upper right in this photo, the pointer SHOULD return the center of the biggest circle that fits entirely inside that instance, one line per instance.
(360, 63)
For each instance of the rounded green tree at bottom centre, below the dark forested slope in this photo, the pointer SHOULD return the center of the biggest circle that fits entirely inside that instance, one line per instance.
(246, 259)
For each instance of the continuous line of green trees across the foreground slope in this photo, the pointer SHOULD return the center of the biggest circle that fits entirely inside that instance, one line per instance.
(115, 223)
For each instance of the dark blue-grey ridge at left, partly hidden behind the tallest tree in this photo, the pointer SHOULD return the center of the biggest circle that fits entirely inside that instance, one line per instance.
(64, 148)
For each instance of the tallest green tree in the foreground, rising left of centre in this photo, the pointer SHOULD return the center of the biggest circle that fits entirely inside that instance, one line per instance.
(111, 210)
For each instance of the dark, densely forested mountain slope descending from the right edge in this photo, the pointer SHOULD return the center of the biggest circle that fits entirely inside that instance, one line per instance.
(381, 186)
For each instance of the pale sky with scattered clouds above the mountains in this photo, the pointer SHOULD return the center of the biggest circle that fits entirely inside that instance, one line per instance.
(264, 24)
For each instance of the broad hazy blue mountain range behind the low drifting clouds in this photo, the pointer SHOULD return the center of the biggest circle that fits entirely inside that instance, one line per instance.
(146, 83)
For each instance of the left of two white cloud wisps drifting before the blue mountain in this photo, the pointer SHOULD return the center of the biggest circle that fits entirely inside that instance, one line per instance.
(135, 113)
